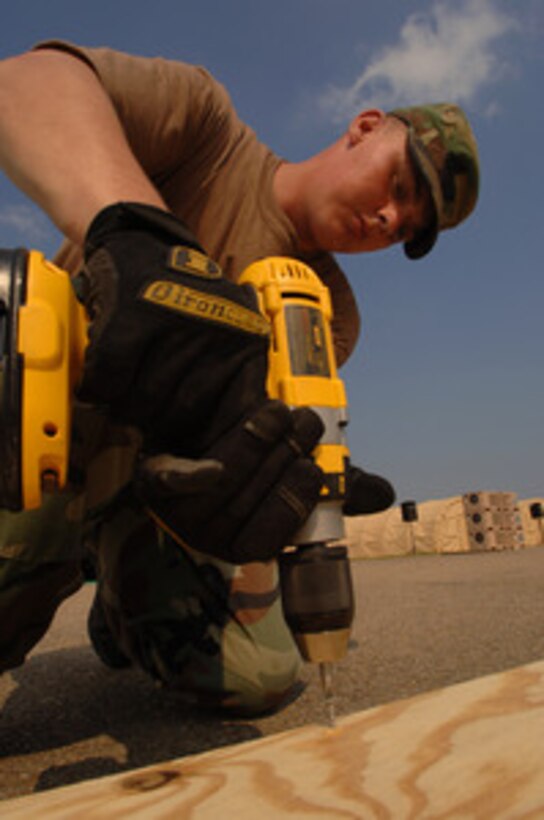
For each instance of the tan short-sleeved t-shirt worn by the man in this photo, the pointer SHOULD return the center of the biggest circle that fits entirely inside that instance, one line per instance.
(211, 169)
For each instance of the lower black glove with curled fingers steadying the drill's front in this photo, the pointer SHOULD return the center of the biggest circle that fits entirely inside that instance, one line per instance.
(248, 495)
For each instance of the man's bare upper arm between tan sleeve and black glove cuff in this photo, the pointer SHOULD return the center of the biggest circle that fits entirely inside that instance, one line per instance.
(61, 142)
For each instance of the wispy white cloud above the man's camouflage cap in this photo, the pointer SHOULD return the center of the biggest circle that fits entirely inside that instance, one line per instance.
(447, 53)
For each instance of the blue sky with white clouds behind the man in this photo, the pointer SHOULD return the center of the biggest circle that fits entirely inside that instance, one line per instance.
(446, 386)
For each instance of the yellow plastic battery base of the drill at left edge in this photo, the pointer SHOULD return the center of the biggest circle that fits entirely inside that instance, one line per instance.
(51, 338)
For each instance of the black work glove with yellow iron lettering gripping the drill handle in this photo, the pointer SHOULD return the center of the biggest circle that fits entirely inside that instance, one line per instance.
(174, 348)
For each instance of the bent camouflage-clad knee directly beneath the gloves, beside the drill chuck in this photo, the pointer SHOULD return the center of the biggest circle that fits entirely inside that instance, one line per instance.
(211, 630)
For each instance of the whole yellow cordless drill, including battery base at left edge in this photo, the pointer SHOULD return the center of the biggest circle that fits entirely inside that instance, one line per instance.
(43, 330)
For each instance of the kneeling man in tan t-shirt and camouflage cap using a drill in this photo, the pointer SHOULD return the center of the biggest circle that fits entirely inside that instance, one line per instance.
(116, 150)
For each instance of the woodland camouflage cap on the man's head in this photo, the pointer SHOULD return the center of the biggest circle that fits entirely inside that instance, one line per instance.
(444, 153)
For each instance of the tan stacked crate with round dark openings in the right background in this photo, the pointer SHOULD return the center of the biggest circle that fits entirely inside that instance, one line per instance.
(493, 521)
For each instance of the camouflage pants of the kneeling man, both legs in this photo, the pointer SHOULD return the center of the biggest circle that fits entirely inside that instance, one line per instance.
(211, 630)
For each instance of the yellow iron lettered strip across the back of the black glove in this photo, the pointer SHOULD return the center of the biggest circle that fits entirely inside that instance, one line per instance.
(195, 303)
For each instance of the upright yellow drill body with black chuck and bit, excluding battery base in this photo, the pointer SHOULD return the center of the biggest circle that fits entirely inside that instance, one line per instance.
(315, 574)
